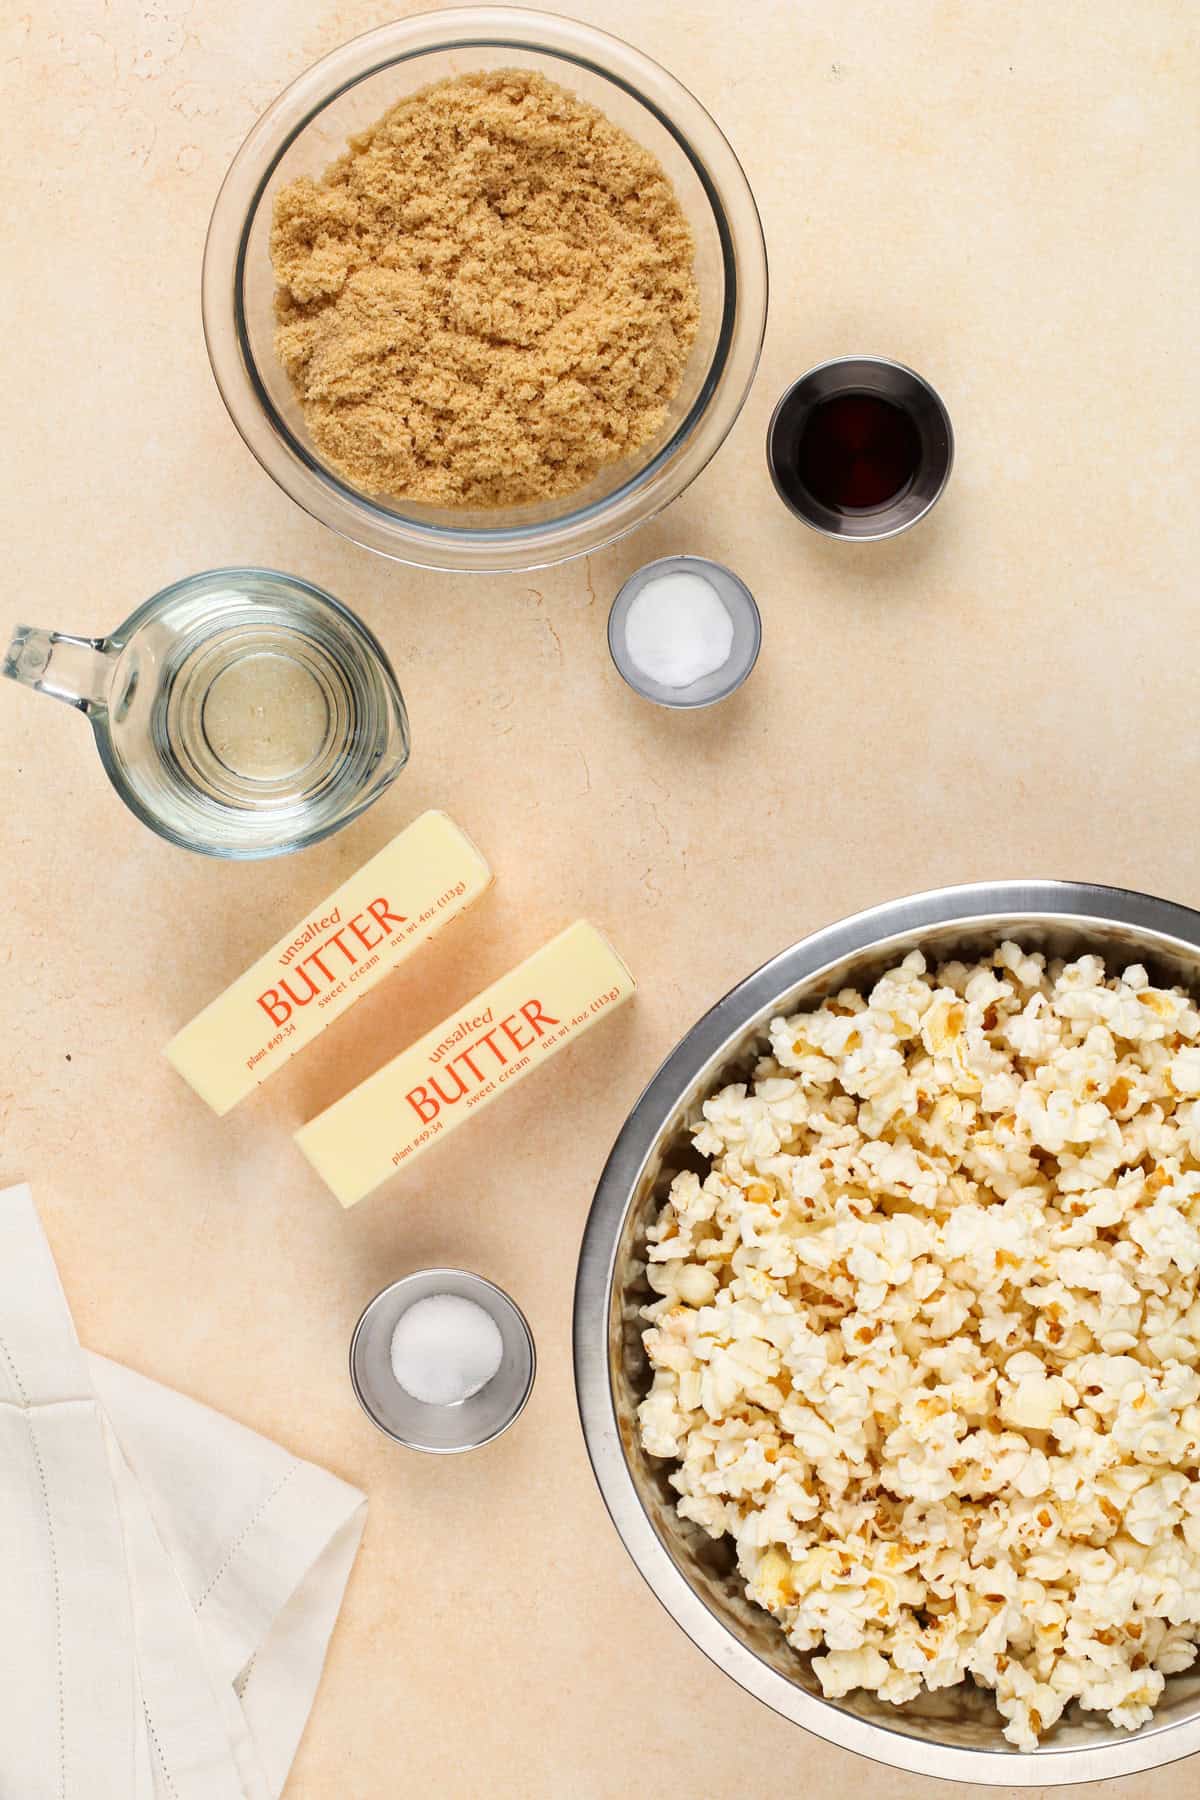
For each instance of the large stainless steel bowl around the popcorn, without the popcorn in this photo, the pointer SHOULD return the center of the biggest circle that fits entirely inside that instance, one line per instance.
(954, 1734)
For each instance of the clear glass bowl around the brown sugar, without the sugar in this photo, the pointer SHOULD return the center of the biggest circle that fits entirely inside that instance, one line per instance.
(346, 93)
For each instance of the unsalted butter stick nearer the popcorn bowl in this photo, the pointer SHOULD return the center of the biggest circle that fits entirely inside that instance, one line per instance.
(463, 1065)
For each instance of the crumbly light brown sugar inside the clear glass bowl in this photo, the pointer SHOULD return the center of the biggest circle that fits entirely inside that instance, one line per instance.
(487, 300)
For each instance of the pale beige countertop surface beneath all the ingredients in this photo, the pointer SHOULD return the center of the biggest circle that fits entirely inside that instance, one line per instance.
(996, 195)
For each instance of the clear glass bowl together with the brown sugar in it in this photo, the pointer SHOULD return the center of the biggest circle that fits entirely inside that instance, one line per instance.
(485, 289)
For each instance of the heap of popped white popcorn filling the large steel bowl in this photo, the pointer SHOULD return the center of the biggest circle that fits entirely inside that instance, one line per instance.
(926, 1335)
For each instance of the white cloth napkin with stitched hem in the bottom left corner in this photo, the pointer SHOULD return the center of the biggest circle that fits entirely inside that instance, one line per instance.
(168, 1579)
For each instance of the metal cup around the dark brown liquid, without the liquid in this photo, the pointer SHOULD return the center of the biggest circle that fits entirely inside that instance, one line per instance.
(888, 381)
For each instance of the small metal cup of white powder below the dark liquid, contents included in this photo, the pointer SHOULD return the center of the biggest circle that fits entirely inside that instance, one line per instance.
(685, 633)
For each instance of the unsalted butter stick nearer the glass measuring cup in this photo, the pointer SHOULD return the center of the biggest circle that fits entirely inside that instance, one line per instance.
(399, 901)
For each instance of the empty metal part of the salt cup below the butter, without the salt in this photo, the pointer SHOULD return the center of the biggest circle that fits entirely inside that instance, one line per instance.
(442, 1430)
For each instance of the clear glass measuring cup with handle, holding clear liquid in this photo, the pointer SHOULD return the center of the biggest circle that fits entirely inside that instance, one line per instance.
(240, 714)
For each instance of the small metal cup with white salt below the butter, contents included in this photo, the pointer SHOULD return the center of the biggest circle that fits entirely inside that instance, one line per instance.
(443, 1362)
